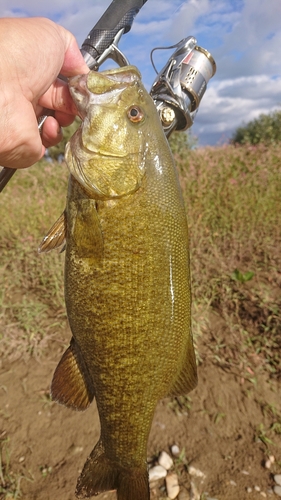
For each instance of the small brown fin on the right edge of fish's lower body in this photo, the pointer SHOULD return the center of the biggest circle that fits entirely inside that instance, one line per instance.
(186, 380)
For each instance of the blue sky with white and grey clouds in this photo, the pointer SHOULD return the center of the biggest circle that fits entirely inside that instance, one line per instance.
(243, 36)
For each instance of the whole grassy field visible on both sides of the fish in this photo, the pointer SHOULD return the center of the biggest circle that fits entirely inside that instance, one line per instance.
(233, 200)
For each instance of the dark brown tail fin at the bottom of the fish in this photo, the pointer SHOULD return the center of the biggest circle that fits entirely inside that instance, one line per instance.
(100, 474)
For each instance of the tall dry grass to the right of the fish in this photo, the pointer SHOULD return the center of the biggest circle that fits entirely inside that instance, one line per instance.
(233, 198)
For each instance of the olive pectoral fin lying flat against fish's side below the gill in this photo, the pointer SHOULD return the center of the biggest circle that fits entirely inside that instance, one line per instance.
(87, 232)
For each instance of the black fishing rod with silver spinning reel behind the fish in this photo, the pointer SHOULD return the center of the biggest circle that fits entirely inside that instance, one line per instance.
(178, 88)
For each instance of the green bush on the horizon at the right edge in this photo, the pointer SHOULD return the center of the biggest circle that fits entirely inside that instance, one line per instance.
(266, 129)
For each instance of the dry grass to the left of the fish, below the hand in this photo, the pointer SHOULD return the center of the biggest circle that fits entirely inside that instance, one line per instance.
(31, 297)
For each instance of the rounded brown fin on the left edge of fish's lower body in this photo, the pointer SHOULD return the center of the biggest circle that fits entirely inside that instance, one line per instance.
(72, 385)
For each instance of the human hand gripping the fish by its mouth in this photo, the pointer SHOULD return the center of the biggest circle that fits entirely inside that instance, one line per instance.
(33, 52)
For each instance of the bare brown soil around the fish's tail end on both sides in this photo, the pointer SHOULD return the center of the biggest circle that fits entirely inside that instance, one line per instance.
(223, 433)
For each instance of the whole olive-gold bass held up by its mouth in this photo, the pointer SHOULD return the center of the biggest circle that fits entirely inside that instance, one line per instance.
(127, 279)
